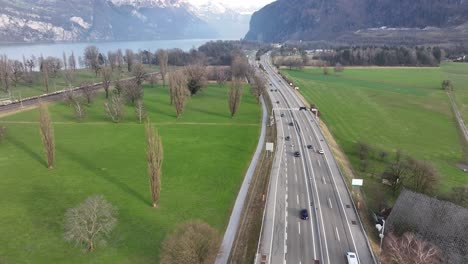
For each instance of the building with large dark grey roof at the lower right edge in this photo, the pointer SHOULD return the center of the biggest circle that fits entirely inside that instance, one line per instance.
(442, 223)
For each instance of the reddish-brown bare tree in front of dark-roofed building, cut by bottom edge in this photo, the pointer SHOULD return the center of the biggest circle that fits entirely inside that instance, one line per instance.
(408, 249)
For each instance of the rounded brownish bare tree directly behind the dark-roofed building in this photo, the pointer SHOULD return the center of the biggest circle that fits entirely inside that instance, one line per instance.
(422, 176)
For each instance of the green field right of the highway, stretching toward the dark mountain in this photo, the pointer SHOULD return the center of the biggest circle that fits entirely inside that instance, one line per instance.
(390, 109)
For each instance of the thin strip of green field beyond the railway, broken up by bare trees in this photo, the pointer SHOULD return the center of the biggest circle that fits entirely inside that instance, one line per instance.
(58, 82)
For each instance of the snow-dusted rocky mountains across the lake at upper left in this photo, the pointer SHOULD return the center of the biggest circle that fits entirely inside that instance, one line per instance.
(85, 20)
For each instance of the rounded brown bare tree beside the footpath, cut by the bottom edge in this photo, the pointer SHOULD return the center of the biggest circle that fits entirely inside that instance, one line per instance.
(193, 242)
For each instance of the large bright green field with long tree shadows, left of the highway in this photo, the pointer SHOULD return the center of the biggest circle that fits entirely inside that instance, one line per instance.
(206, 155)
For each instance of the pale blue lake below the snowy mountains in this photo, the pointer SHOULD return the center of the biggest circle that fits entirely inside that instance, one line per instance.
(16, 51)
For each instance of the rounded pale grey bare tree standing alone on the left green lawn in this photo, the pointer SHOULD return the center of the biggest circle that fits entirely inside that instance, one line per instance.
(90, 222)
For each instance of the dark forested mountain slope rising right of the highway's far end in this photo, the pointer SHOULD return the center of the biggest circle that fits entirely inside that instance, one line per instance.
(359, 20)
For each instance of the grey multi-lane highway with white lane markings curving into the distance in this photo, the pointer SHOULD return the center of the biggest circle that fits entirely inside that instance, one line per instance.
(309, 179)
